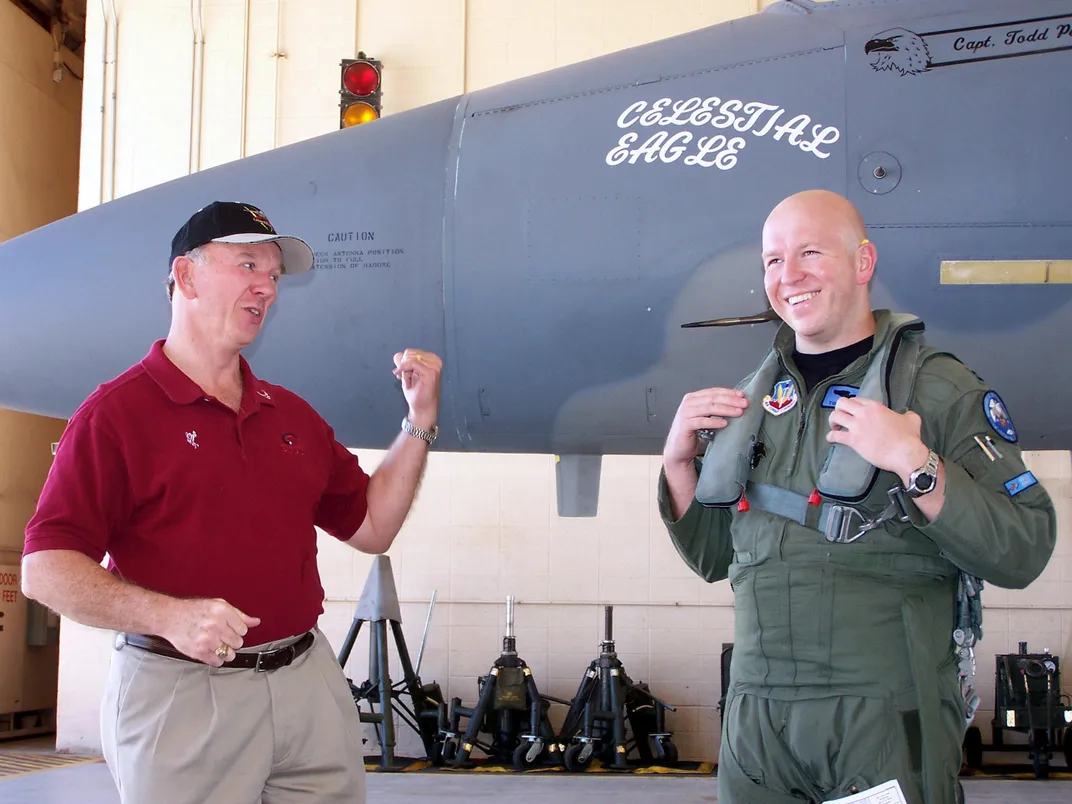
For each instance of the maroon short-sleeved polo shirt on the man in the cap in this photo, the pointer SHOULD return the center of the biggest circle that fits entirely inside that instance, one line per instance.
(192, 500)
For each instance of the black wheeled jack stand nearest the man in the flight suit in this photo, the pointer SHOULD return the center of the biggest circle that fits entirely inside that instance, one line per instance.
(597, 722)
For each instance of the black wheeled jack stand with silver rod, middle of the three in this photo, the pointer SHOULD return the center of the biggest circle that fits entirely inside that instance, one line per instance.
(509, 698)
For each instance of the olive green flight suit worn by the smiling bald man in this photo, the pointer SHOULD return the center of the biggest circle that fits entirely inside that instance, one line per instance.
(844, 672)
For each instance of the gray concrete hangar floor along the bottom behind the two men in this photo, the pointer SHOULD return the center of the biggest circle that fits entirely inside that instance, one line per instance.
(91, 784)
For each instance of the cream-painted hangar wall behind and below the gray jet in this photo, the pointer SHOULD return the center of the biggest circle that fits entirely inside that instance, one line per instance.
(485, 527)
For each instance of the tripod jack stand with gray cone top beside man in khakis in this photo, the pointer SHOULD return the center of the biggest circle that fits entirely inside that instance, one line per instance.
(380, 607)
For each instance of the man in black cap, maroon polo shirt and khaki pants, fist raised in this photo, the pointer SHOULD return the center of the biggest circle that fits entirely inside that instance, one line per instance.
(204, 485)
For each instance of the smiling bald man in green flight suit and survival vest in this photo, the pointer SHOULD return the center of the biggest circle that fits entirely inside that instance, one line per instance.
(846, 520)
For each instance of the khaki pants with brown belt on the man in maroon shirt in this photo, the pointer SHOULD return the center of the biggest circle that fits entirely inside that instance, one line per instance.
(180, 733)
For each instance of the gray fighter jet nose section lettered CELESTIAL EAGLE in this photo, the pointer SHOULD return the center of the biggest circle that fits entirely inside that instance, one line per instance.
(584, 247)
